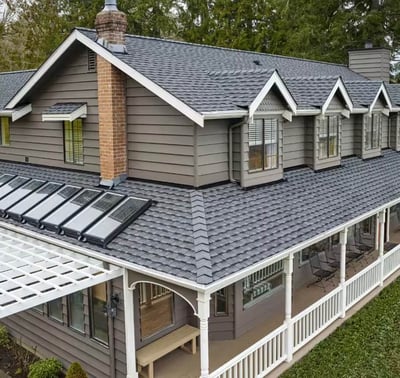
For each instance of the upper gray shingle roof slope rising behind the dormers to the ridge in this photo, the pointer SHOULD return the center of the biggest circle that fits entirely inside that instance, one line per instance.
(190, 72)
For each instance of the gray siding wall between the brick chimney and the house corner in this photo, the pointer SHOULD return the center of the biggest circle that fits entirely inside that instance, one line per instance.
(160, 139)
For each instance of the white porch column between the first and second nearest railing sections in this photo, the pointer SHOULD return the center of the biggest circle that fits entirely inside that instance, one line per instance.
(288, 269)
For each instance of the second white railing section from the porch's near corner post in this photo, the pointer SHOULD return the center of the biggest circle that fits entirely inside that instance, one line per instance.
(308, 323)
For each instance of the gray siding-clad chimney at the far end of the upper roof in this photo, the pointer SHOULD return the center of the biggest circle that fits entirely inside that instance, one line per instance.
(371, 62)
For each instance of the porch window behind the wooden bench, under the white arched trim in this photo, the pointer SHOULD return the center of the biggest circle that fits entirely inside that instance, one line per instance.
(156, 309)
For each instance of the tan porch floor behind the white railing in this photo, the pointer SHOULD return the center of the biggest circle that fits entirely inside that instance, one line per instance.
(179, 364)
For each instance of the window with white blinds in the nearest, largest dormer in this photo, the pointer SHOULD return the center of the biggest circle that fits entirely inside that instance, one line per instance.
(263, 144)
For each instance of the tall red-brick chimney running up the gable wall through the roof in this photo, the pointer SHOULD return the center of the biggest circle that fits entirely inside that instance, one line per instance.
(111, 25)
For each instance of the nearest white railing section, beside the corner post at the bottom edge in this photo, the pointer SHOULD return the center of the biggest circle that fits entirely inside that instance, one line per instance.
(258, 360)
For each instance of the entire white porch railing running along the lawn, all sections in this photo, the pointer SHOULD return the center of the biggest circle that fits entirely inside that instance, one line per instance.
(265, 355)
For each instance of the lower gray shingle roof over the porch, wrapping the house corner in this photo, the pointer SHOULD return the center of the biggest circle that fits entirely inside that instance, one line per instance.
(204, 235)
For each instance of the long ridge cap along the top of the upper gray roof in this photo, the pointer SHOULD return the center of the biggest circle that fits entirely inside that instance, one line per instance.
(224, 48)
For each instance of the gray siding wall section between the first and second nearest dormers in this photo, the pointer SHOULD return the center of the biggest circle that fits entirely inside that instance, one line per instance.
(294, 143)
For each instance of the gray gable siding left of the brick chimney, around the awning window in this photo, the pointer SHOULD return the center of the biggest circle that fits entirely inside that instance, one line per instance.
(42, 142)
